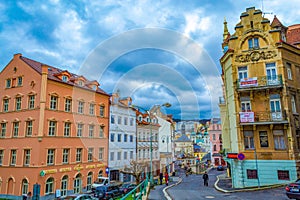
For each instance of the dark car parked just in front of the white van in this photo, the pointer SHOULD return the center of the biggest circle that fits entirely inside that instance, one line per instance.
(107, 192)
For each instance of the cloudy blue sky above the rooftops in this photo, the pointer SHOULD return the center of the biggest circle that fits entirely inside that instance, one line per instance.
(153, 51)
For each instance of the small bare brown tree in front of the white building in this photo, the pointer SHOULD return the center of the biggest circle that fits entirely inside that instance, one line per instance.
(136, 168)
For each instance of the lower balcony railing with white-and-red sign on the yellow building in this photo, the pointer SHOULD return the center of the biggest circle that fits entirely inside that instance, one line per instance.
(252, 117)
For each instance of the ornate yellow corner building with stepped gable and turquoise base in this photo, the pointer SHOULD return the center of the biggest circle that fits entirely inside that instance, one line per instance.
(260, 114)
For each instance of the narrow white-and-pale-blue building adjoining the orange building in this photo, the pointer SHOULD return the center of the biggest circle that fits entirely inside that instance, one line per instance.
(122, 134)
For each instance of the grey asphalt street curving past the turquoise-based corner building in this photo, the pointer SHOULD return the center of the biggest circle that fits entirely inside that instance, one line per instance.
(192, 188)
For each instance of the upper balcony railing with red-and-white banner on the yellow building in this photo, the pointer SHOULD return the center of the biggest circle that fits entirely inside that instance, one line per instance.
(258, 82)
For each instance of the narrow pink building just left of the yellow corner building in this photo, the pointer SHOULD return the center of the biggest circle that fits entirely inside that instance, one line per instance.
(215, 134)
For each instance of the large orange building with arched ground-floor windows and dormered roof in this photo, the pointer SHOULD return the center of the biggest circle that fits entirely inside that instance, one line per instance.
(53, 130)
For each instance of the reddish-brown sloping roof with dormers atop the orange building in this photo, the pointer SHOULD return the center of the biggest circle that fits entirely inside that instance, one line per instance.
(53, 75)
